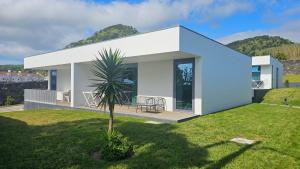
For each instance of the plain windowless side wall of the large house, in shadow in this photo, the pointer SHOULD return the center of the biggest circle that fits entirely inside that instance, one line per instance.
(225, 74)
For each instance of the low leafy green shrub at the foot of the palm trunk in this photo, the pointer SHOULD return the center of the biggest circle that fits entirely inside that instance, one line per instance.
(115, 147)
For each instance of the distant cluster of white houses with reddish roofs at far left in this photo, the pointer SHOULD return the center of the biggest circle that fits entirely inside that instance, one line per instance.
(15, 77)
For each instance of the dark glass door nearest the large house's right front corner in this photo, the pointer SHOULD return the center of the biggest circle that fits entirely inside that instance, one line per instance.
(184, 83)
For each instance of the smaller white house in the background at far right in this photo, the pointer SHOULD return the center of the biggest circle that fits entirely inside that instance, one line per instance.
(267, 72)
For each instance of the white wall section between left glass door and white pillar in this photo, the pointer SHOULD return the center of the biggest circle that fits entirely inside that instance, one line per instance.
(63, 80)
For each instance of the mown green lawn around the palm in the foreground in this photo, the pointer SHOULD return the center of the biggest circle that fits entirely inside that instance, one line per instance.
(66, 138)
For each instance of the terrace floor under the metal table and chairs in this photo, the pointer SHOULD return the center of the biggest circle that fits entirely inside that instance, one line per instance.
(164, 116)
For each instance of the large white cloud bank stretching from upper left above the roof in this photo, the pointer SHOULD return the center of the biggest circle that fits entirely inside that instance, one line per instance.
(32, 26)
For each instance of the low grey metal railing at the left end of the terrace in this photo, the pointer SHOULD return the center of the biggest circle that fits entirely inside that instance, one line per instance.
(40, 96)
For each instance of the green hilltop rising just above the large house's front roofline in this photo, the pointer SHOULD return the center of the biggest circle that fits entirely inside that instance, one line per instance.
(111, 32)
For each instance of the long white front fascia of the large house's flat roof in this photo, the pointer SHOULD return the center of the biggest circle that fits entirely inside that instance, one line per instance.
(138, 46)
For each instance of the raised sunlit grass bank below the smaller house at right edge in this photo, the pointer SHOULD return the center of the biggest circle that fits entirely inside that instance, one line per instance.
(276, 96)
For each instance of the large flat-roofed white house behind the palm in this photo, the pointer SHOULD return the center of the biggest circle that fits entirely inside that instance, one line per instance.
(192, 72)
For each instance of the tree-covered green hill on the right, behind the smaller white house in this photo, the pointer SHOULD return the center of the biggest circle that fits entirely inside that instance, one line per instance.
(260, 45)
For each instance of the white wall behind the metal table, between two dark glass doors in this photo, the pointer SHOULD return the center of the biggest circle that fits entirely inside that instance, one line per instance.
(156, 79)
